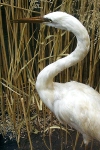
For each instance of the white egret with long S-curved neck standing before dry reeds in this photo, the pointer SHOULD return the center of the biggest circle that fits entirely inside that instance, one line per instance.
(73, 103)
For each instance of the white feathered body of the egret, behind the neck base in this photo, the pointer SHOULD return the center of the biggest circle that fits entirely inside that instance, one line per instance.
(78, 105)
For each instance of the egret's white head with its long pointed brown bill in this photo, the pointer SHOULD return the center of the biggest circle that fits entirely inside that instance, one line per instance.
(56, 19)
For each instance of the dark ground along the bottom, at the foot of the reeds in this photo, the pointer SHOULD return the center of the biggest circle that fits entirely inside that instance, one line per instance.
(58, 142)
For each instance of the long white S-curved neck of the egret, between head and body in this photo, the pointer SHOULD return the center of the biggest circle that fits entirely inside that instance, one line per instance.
(45, 77)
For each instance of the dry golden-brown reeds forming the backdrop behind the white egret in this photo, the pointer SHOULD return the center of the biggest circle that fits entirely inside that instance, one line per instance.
(27, 48)
